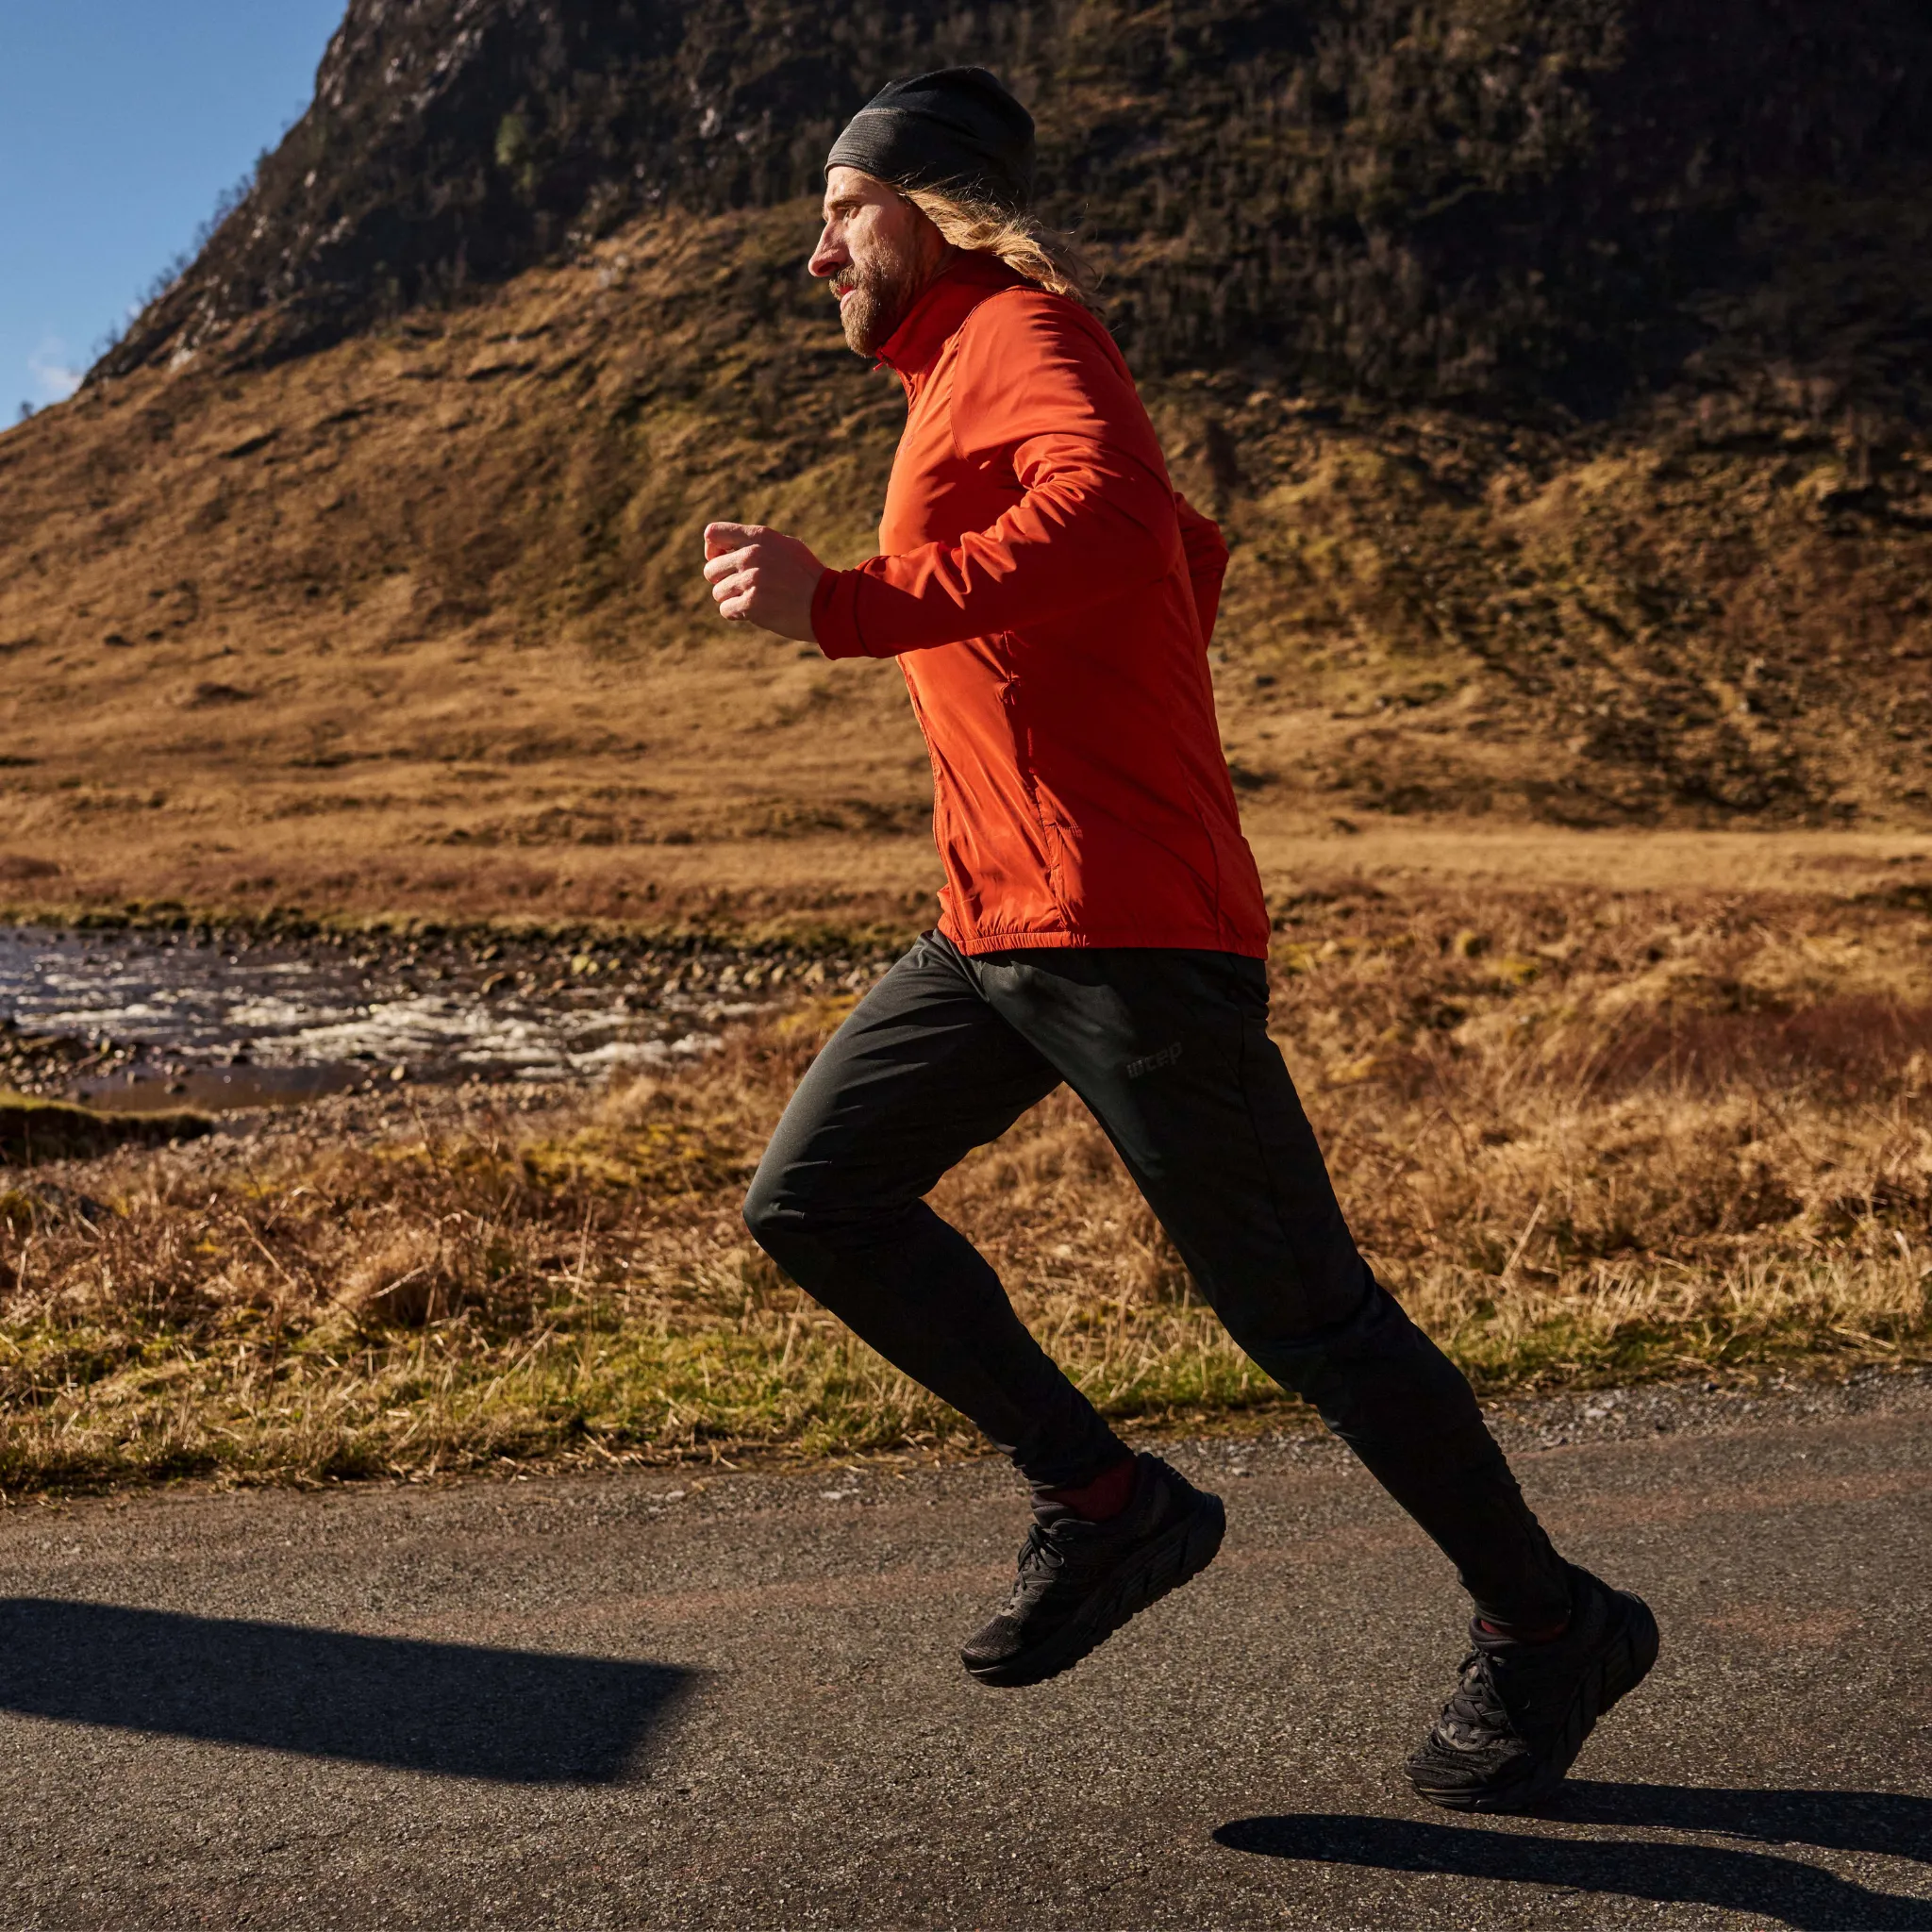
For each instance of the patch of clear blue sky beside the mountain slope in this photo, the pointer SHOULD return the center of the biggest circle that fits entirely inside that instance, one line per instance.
(121, 125)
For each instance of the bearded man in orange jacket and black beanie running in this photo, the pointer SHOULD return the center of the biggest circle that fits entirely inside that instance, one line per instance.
(1050, 600)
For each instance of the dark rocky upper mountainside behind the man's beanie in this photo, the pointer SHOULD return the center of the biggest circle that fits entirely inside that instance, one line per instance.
(1492, 202)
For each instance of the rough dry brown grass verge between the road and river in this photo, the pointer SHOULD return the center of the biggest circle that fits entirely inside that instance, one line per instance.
(1587, 1137)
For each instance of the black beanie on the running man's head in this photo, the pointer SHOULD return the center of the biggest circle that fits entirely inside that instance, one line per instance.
(955, 128)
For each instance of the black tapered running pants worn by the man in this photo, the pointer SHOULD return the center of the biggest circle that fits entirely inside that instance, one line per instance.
(1170, 1050)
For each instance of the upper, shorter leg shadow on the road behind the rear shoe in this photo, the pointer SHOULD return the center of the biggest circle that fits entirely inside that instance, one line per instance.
(1892, 1823)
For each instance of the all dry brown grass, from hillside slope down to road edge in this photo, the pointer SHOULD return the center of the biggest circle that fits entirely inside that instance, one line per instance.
(411, 627)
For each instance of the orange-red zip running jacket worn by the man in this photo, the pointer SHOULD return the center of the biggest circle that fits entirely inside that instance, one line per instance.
(1050, 600)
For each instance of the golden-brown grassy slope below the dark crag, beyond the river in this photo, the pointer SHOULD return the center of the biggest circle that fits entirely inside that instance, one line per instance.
(418, 617)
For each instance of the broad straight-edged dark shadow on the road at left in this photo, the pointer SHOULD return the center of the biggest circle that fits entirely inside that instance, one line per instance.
(519, 1717)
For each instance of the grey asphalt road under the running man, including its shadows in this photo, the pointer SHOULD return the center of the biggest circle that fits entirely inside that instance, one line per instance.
(592, 1703)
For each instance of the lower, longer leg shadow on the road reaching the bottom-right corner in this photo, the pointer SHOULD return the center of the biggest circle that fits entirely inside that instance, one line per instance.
(1778, 1890)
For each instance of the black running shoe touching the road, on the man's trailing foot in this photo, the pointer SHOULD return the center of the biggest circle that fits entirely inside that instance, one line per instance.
(1523, 1711)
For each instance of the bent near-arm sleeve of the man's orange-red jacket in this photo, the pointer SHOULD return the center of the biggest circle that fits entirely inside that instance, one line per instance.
(1040, 393)
